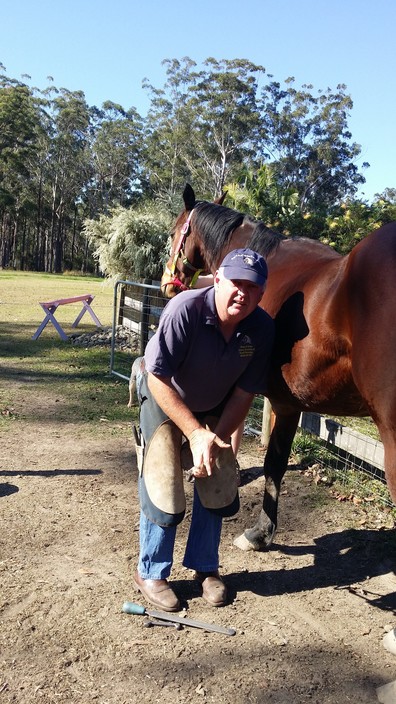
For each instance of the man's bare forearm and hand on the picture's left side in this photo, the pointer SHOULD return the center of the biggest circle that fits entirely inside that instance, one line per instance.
(202, 441)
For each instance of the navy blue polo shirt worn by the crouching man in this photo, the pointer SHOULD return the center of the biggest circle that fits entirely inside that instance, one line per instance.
(189, 348)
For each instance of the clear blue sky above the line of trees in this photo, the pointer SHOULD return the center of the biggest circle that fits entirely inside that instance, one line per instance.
(107, 48)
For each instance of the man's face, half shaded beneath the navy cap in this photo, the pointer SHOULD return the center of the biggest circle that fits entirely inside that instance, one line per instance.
(235, 299)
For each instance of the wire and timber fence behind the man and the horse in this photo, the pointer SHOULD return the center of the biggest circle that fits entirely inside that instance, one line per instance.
(355, 459)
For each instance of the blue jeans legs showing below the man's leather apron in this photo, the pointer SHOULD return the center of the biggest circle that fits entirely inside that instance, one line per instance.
(202, 549)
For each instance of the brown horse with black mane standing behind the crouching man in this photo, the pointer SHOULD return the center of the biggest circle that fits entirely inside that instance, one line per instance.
(335, 342)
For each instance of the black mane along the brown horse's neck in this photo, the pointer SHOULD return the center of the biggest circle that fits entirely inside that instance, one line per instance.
(216, 223)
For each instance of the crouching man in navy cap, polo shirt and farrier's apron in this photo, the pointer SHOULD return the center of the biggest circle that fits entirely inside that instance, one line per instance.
(207, 360)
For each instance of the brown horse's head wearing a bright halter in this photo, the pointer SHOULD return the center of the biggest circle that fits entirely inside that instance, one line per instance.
(187, 260)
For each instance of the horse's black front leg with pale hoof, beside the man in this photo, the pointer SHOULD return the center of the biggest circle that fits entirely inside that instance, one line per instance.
(262, 534)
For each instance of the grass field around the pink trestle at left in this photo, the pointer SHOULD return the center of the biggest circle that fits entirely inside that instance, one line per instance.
(75, 379)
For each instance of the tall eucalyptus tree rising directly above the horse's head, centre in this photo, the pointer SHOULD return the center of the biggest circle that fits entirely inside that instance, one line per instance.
(201, 125)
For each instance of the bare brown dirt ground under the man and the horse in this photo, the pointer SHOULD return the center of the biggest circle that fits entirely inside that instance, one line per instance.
(309, 614)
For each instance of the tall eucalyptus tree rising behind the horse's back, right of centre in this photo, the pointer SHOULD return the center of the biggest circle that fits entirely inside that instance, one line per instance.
(305, 137)
